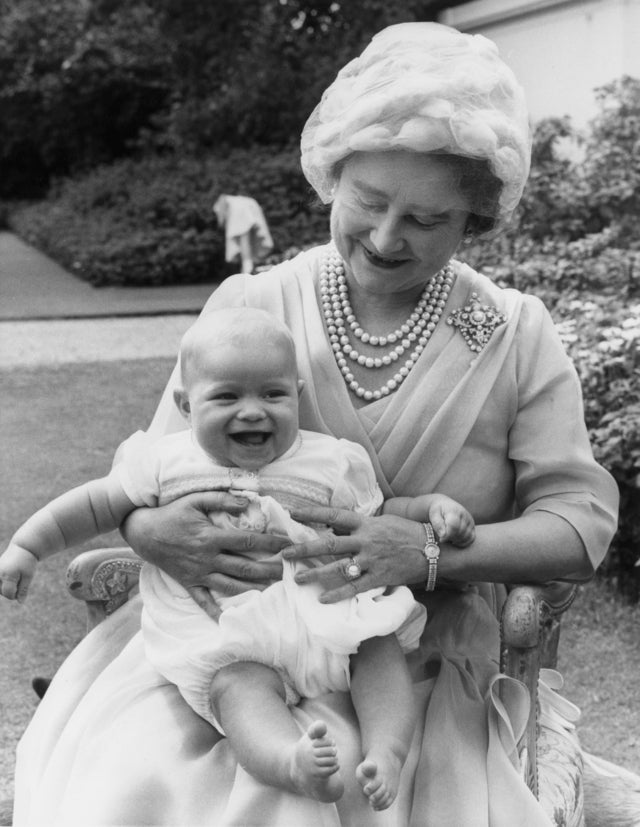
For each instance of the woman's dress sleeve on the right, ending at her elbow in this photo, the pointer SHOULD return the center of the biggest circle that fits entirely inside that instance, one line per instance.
(549, 443)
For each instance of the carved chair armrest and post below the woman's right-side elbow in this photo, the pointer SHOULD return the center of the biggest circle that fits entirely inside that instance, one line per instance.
(530, 630)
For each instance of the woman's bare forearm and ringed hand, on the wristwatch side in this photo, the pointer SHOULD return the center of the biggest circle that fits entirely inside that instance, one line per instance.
(534, 548)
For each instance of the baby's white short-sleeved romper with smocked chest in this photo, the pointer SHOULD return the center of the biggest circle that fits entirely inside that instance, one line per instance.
(285, 626)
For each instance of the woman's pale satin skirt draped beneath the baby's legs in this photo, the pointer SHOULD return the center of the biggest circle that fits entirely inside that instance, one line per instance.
(113, 743)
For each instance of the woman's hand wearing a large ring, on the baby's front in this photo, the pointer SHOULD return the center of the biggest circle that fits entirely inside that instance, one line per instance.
(388, 550)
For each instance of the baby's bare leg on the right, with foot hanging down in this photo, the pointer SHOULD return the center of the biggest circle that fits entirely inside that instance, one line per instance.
(382, 695)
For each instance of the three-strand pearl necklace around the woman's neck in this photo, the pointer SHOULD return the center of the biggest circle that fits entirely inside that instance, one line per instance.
(341, 322)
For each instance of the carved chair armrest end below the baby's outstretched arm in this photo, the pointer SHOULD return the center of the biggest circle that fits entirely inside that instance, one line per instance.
(105, 579)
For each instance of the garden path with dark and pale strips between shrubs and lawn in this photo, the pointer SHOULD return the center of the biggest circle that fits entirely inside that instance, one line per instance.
(48, 316)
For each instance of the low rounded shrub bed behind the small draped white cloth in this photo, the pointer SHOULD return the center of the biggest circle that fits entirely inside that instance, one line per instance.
(150, 221)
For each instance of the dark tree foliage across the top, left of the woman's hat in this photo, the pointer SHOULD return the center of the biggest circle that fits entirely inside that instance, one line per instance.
(83, 82)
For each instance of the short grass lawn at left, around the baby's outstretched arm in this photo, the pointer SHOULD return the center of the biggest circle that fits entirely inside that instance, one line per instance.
(58, 428)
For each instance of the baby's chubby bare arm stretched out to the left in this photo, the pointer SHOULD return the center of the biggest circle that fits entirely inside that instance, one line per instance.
(84, 512)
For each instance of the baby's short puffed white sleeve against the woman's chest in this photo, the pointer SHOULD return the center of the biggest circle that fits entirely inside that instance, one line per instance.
(356, 486)
